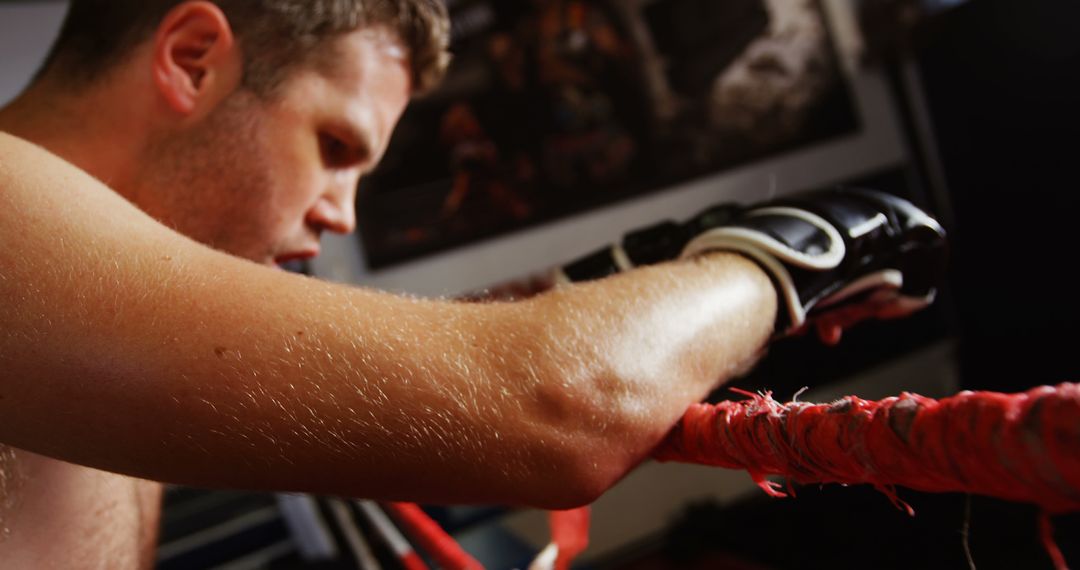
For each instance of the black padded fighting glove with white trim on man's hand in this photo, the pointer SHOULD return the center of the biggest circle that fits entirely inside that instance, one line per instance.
(825, 251)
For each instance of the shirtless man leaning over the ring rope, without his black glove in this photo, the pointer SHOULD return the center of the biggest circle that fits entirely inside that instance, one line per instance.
(169, 156)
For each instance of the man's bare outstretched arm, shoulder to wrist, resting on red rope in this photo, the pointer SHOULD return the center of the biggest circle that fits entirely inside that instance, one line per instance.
(130, 348)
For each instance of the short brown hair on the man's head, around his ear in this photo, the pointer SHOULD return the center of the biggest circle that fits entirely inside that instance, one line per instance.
(276, 36)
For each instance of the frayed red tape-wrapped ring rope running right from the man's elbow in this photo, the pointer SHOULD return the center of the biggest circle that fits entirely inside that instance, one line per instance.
(1020, 447)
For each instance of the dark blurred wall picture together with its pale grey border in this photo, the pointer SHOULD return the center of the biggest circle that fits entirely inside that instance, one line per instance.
(563, 124)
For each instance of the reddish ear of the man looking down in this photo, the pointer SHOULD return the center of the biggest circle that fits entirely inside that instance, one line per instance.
(196, 58)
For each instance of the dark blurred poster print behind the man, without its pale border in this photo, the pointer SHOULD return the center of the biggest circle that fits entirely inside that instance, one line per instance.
(558, 107)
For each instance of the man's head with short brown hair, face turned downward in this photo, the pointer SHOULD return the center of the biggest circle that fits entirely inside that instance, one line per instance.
(255, 118)
